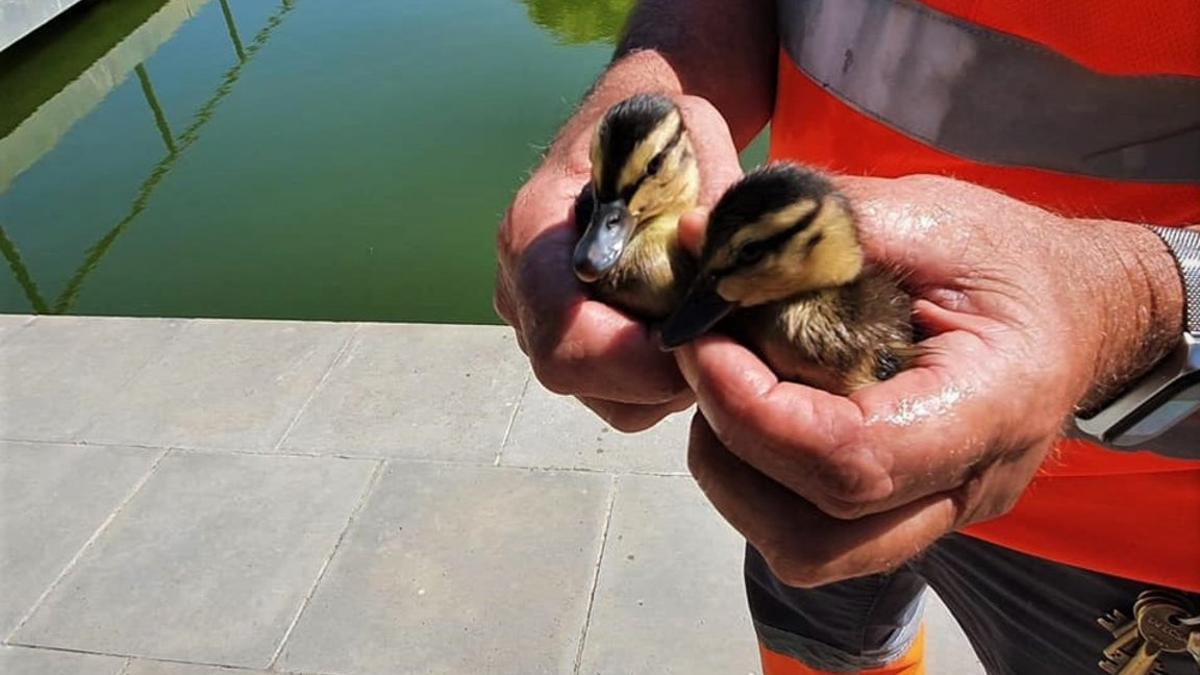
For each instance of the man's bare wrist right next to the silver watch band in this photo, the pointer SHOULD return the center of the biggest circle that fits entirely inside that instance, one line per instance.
(1141, 308)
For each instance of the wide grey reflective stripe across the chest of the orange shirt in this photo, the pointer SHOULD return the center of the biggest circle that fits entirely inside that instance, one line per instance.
(994, 98)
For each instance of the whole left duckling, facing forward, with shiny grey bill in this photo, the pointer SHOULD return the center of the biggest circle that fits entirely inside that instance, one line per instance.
(644, 178)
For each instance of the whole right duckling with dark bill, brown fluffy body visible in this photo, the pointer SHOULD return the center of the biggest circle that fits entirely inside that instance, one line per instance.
(783, 247)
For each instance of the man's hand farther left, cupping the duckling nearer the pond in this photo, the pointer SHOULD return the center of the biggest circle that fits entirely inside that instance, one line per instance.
(581, 347)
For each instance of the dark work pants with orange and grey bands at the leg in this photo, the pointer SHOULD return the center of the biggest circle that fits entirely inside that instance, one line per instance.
(1023, 616)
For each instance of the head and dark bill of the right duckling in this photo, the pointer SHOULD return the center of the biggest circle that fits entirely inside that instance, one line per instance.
(779, 234)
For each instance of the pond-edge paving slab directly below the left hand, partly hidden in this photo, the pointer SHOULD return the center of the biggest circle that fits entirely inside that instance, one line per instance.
(559, 432)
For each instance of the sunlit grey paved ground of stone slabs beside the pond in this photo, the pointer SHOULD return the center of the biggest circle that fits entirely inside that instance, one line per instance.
(182, 498)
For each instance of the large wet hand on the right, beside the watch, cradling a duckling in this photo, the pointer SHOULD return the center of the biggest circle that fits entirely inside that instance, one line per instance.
(1028, 314)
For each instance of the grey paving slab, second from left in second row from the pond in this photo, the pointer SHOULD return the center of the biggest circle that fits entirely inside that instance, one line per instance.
(209, 563)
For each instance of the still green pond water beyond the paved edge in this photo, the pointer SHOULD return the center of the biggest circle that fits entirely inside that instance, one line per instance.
(297, 159)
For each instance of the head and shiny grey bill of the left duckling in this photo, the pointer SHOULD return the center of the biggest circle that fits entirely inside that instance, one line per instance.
(643, 168)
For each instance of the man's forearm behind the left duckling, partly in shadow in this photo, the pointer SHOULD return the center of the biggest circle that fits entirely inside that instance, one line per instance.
(724, 52)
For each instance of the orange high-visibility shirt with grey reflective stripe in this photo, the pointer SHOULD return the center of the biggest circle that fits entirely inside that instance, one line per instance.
(1090, 109)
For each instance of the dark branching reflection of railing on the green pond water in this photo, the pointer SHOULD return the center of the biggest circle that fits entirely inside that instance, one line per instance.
(176, 147)
